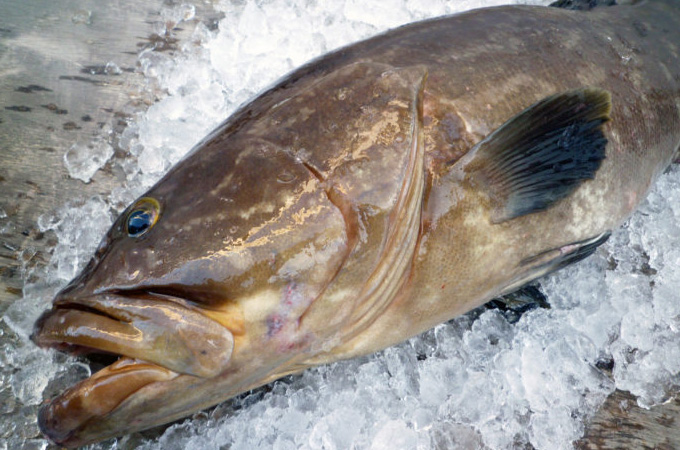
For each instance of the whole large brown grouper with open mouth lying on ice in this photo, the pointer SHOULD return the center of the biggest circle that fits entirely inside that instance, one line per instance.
(368, 196)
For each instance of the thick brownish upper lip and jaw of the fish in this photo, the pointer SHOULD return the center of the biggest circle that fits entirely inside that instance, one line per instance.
(144, 326)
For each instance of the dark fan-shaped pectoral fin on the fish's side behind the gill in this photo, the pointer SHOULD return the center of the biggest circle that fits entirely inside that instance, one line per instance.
(541, 155)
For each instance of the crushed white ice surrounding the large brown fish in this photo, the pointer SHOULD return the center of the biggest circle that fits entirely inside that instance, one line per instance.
(476, 382)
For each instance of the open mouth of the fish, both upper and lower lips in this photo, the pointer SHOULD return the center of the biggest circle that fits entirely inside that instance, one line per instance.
(158, 342)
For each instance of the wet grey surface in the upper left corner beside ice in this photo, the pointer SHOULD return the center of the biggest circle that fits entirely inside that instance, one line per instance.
(50, 99)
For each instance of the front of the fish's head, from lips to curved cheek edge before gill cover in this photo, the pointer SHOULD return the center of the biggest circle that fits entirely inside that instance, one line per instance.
(199, 285)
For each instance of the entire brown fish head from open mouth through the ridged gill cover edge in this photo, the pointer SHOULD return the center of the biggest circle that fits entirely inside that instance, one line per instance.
(251, 259)
